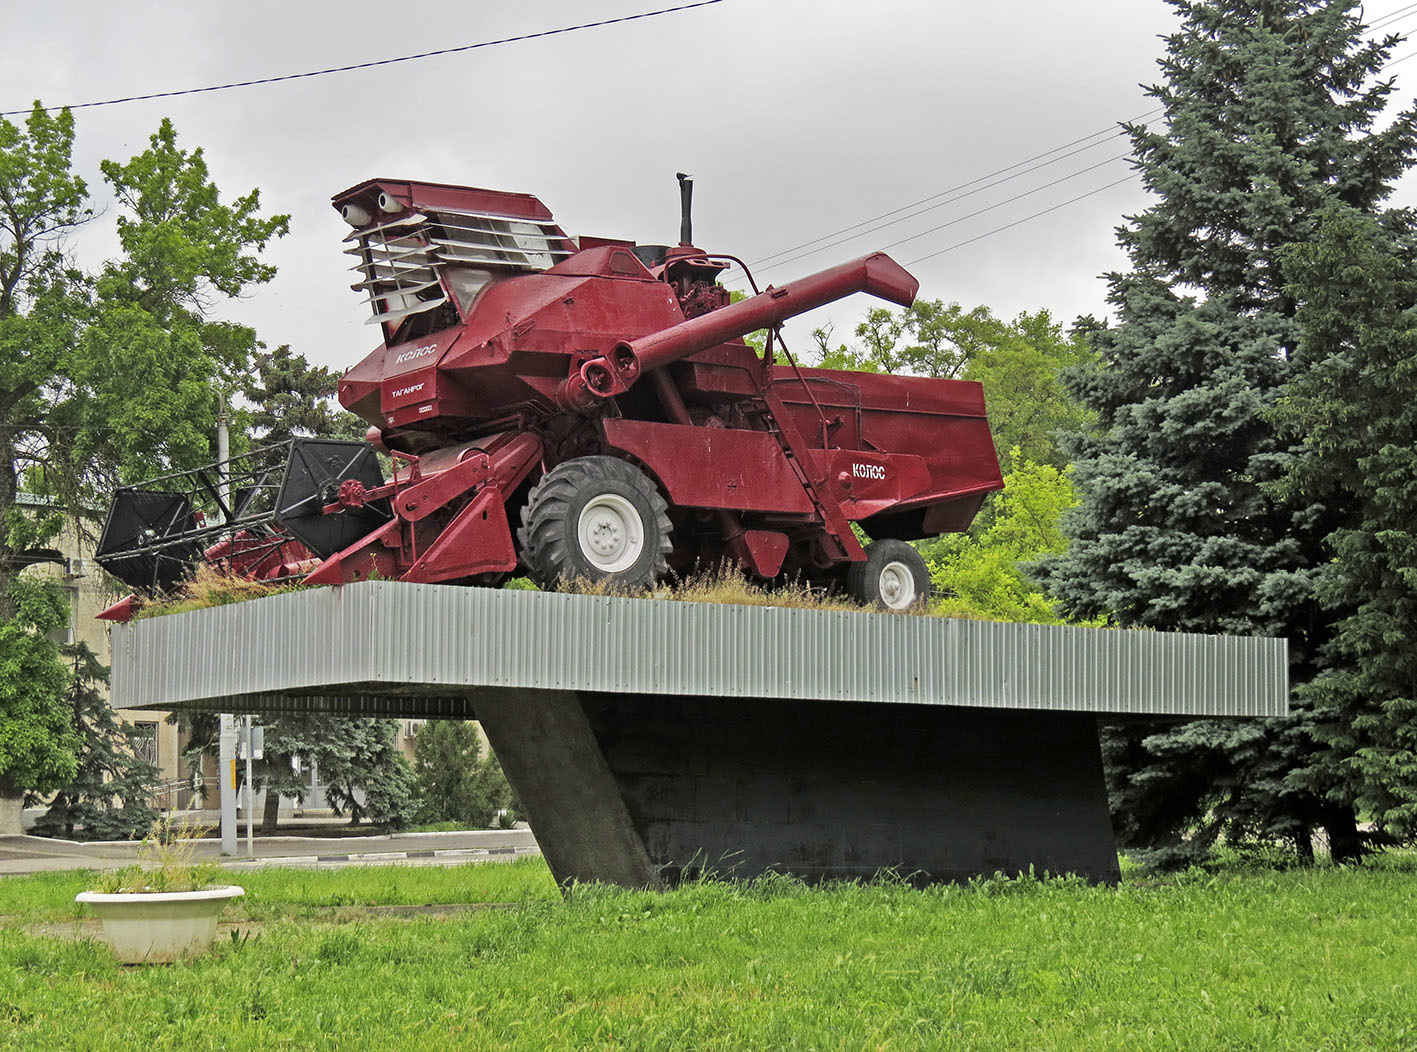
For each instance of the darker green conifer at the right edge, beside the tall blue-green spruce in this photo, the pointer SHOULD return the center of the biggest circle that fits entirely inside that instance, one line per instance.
(1355, 416)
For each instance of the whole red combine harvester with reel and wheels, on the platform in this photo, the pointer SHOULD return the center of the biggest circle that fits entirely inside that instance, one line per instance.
(579, 409)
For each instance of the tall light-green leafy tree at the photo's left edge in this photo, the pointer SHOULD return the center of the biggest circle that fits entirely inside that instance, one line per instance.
(103, 378)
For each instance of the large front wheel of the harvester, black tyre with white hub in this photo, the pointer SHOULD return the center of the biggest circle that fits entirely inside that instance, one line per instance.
(596, 518)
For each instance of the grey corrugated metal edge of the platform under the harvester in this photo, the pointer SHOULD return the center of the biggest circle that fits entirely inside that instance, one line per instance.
(383, 640)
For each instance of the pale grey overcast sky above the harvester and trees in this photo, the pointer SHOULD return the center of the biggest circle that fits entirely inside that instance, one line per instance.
(797, 118)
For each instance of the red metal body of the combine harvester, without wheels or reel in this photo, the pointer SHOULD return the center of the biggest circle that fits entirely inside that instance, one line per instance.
(509, 349)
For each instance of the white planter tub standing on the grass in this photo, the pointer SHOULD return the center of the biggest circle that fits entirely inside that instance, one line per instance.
(159, 927)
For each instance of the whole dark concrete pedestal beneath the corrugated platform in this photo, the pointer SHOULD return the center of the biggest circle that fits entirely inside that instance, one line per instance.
(739, 788)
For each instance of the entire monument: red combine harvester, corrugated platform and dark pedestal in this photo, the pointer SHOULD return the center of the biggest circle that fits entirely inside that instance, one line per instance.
(589, 409)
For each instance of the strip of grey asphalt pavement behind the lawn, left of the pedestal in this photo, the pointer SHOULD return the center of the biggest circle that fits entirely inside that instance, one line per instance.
(43, 854)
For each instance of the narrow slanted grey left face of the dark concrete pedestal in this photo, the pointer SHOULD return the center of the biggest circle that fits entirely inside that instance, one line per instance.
(573, 803)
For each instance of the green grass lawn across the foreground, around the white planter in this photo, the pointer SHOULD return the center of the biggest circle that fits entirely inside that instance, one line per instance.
(1321, 959)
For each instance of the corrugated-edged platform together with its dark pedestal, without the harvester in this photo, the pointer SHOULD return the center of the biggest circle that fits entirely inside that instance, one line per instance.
(650, 741)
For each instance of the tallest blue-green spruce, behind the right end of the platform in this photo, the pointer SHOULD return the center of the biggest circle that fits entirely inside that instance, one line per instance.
(1272, 113)
